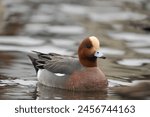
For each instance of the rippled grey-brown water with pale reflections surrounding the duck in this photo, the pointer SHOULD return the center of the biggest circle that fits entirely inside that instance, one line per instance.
(123, 27)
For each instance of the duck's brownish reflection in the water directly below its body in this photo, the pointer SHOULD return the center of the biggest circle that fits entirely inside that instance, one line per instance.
(48, 93)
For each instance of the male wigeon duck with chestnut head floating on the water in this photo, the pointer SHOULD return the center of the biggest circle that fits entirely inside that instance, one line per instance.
(71, 72)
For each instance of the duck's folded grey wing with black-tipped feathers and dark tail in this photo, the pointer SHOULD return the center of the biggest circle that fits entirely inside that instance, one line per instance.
(56, 63)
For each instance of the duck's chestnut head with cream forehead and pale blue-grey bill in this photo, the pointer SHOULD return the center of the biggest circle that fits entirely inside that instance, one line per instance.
(89, 51)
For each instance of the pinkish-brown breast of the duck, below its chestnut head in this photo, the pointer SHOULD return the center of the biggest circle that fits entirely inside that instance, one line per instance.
(89, 79)
